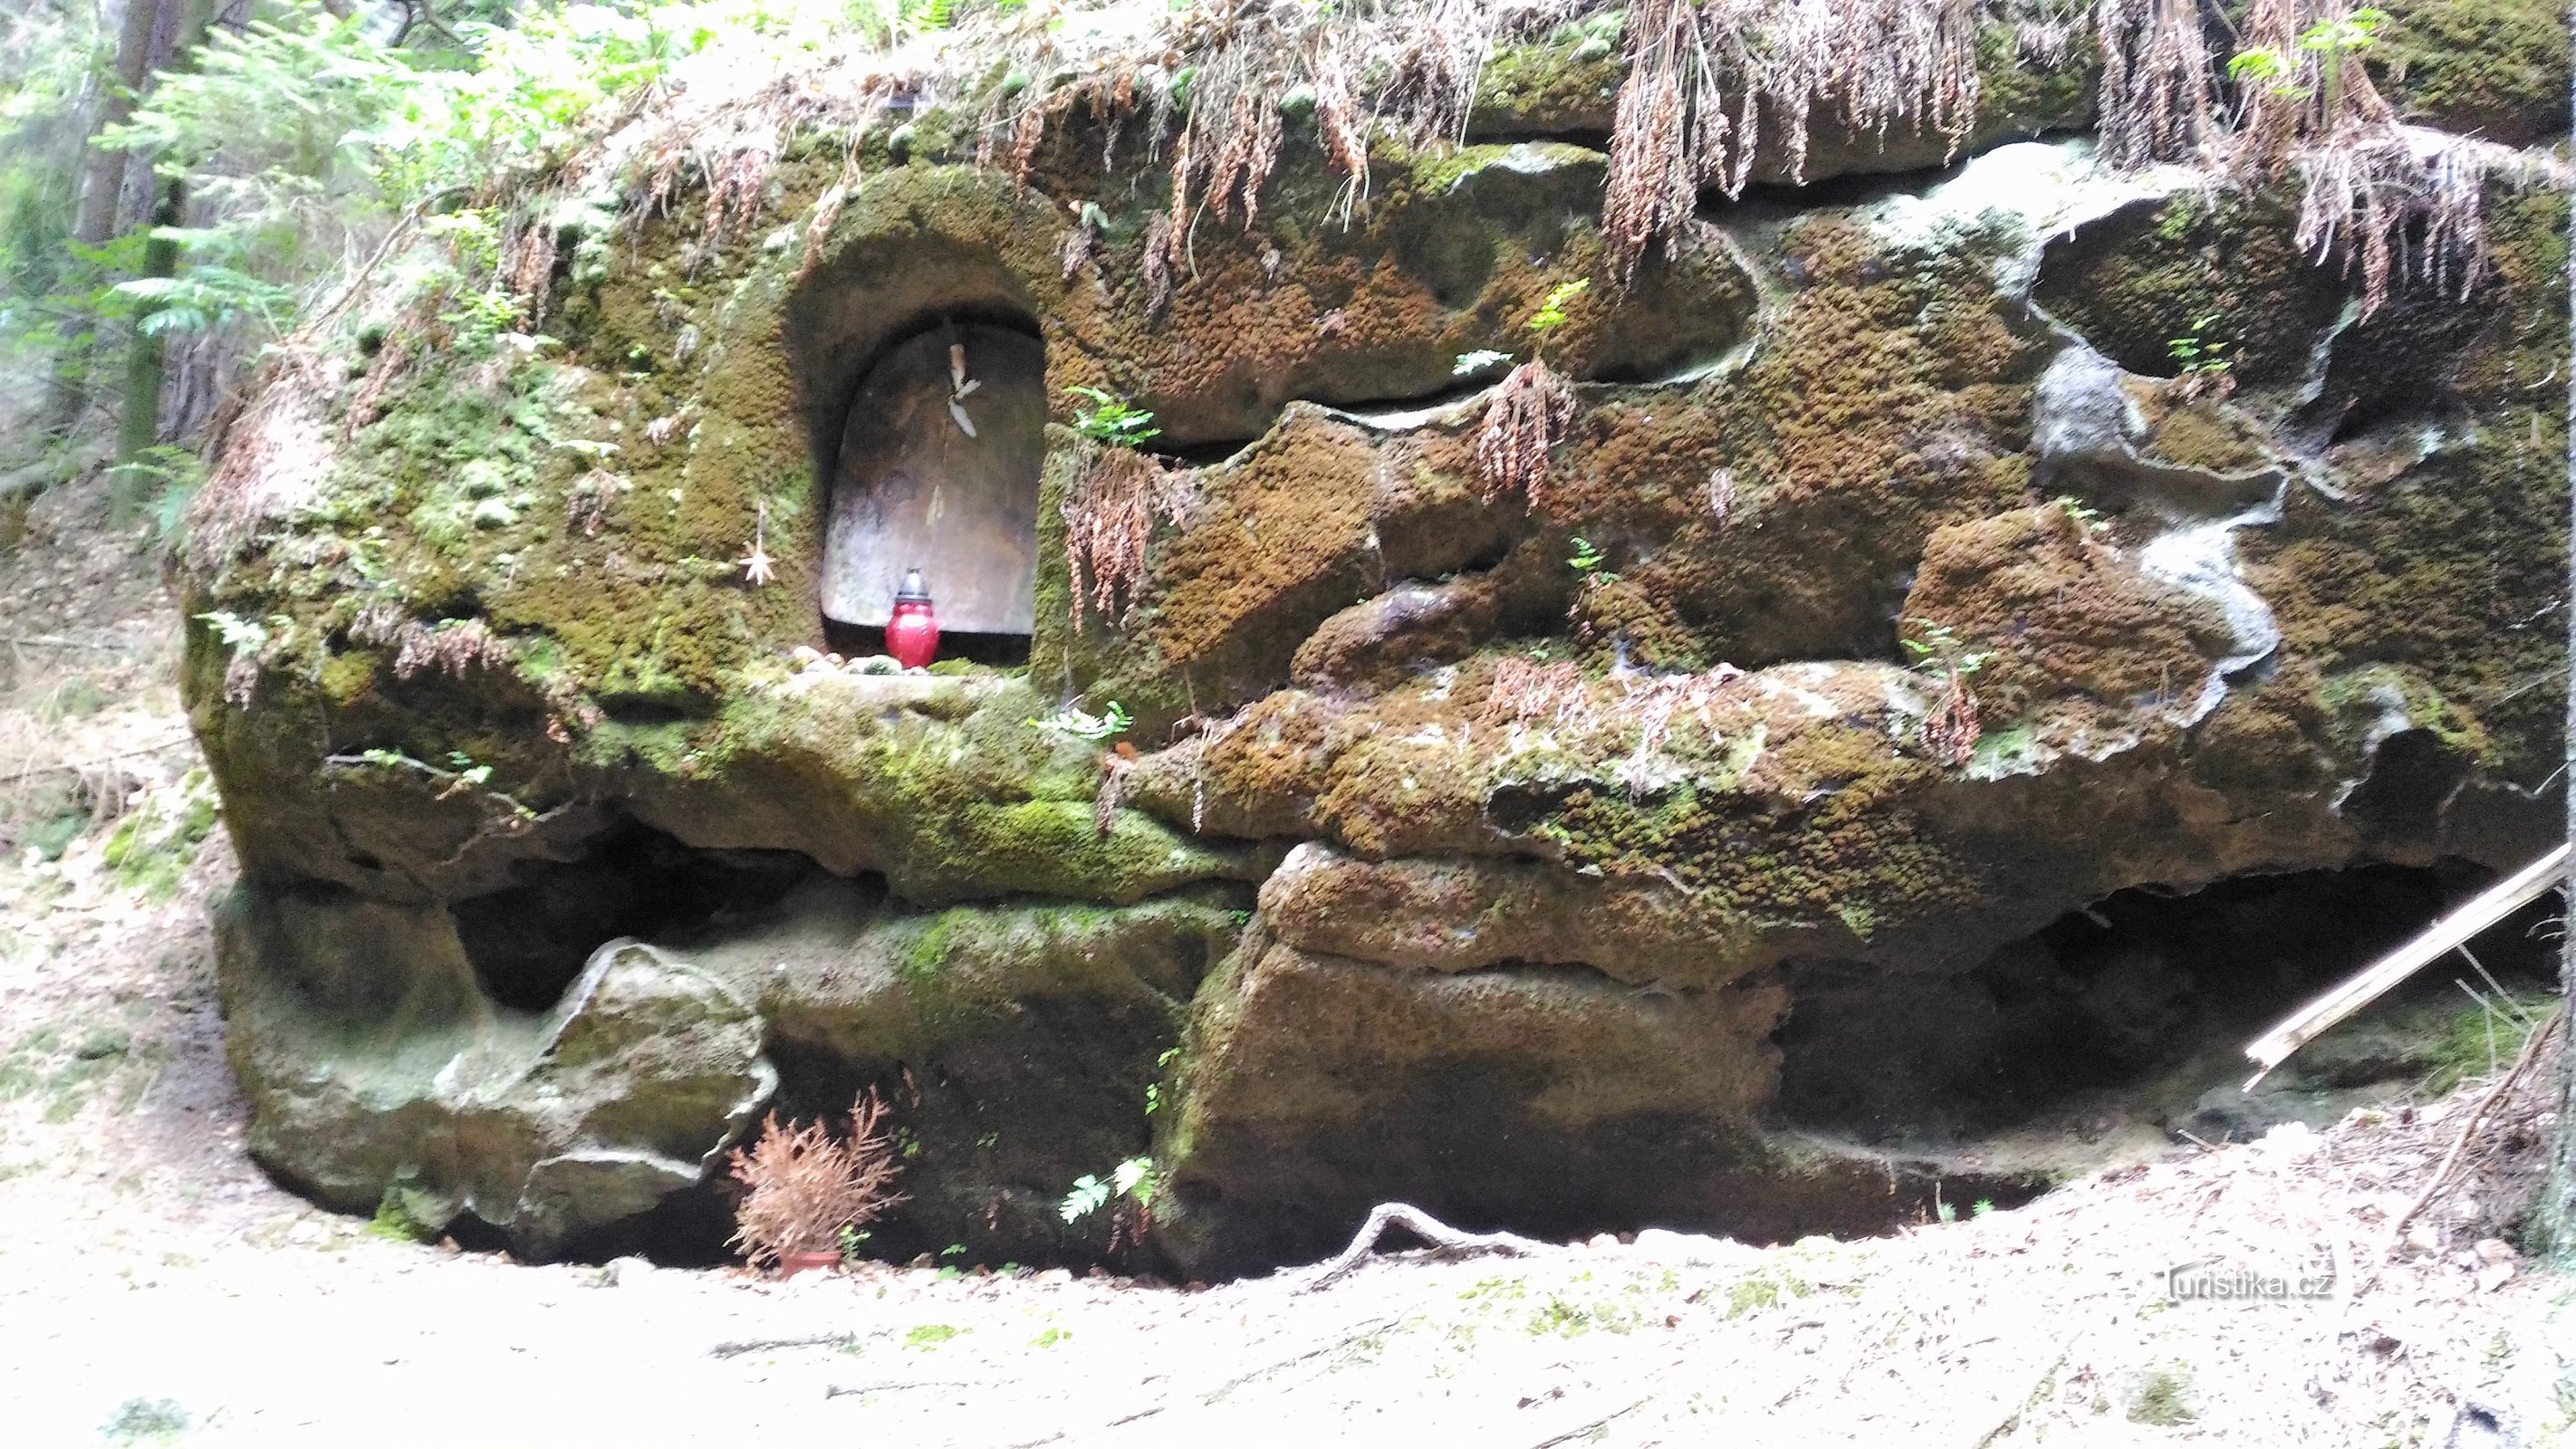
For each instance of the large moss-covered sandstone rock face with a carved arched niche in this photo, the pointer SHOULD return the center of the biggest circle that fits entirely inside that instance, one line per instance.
(1549, 856)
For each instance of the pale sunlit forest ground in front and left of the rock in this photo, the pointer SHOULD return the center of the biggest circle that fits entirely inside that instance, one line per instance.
(158, 1291)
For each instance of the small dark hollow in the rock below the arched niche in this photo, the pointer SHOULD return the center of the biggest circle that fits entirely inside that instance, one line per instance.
(532, 941)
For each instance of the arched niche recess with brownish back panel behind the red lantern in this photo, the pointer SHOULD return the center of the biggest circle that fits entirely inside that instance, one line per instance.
(939, 472)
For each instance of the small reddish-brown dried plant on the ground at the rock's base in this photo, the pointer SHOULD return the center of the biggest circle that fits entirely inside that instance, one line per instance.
(805, 1185)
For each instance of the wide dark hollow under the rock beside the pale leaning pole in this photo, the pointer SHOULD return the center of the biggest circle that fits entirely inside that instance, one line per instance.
(2137, 1010)
